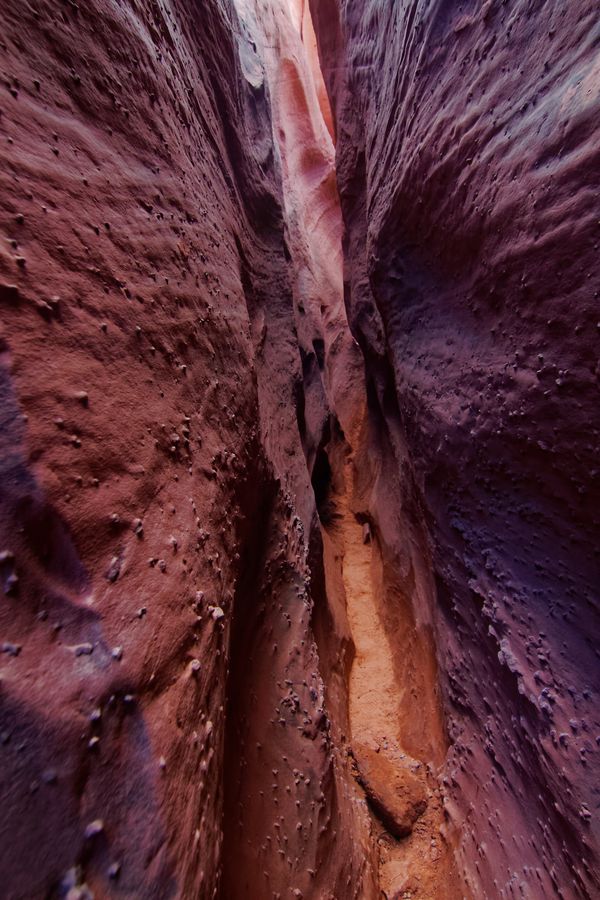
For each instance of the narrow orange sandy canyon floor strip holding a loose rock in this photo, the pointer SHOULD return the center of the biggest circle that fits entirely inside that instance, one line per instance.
(407, 820)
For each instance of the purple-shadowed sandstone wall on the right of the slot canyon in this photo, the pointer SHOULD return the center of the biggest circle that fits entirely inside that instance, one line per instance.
(467, 164)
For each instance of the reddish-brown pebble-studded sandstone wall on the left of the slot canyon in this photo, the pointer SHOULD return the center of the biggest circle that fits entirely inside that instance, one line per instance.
(156, 510)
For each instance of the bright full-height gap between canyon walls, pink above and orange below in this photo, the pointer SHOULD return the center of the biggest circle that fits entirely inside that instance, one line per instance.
(411, 854)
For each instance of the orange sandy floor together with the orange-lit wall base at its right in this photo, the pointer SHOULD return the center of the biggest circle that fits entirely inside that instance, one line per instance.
(395, 724)
